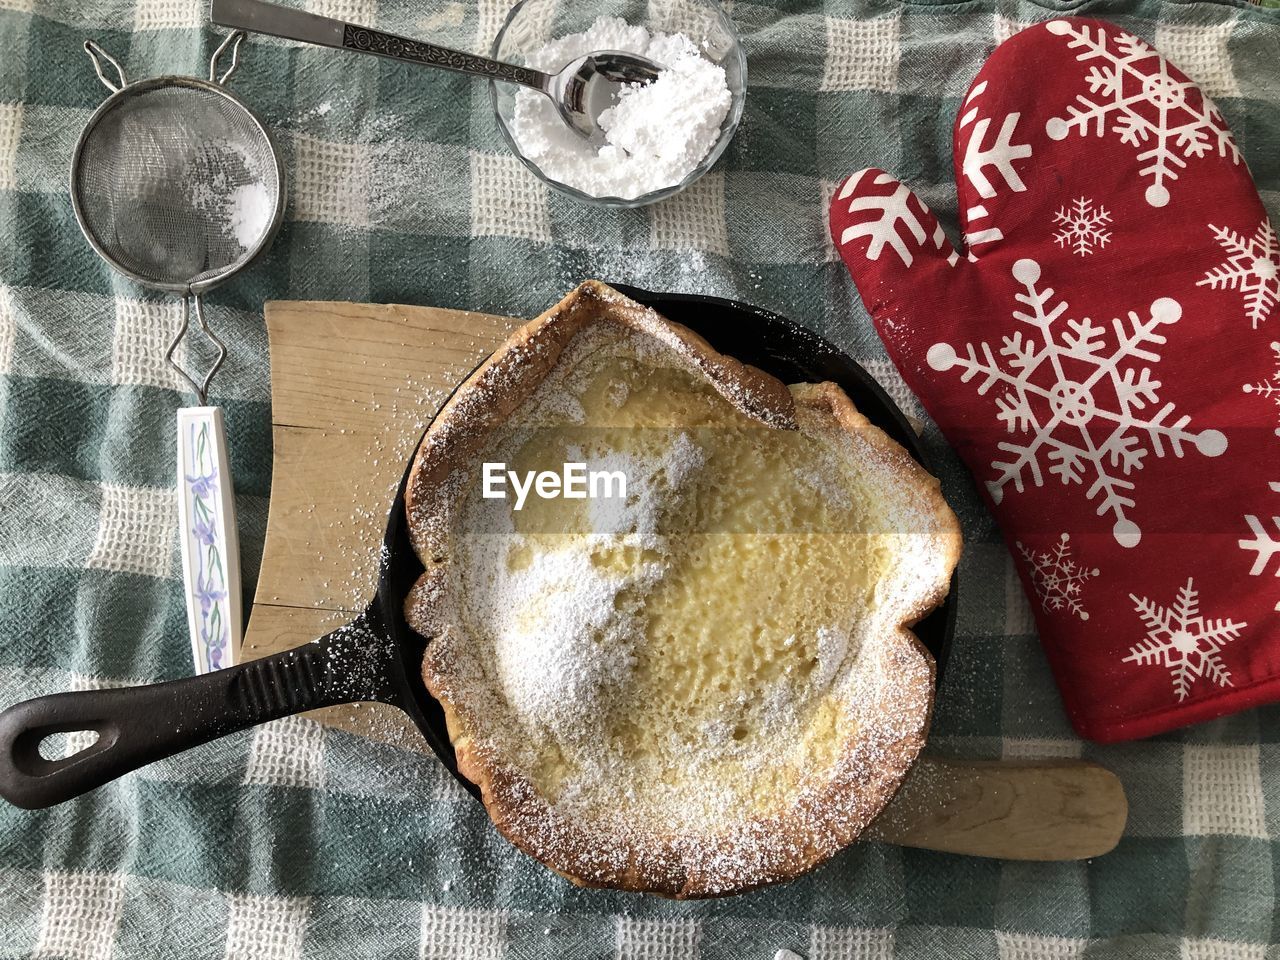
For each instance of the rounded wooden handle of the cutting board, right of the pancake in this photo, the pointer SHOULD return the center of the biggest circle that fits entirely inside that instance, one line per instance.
(1008, 810)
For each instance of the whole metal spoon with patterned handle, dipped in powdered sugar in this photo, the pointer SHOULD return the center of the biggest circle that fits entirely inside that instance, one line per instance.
(582, 92)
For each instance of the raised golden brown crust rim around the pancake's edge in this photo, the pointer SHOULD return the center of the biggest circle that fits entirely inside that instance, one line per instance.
(893, 716)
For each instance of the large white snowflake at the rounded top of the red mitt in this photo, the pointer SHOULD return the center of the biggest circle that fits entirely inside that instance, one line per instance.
(1167, 120)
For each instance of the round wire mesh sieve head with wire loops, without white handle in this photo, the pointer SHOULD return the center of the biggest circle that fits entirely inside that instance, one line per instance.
(177, 185)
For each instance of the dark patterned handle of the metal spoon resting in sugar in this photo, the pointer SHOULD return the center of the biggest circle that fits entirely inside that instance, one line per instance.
(278, 21)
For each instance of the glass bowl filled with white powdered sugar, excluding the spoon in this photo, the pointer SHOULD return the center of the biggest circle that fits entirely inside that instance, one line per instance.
(659, 139)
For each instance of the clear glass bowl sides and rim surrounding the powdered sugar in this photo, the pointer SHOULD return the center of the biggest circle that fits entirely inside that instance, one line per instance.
(534, 22)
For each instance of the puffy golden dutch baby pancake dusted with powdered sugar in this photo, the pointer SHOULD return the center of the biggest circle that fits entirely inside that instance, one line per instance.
(698, 679)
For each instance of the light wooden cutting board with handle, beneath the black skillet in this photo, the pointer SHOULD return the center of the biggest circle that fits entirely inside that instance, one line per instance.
(353, 388)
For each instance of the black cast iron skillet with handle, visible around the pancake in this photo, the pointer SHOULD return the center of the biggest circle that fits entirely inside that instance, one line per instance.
(378, 656)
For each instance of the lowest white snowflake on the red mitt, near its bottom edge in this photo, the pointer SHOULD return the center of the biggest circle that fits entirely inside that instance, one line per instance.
(1183, 642)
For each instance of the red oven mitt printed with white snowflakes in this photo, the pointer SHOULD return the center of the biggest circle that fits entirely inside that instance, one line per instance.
(1103, 358)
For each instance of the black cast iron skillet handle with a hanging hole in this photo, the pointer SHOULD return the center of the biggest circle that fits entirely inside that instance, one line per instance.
(139, 725)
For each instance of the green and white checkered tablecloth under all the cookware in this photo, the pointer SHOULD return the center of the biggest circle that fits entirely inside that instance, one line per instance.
(295, 842)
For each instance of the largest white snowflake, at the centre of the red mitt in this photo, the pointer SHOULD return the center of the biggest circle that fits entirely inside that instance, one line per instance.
(1089, 409)
